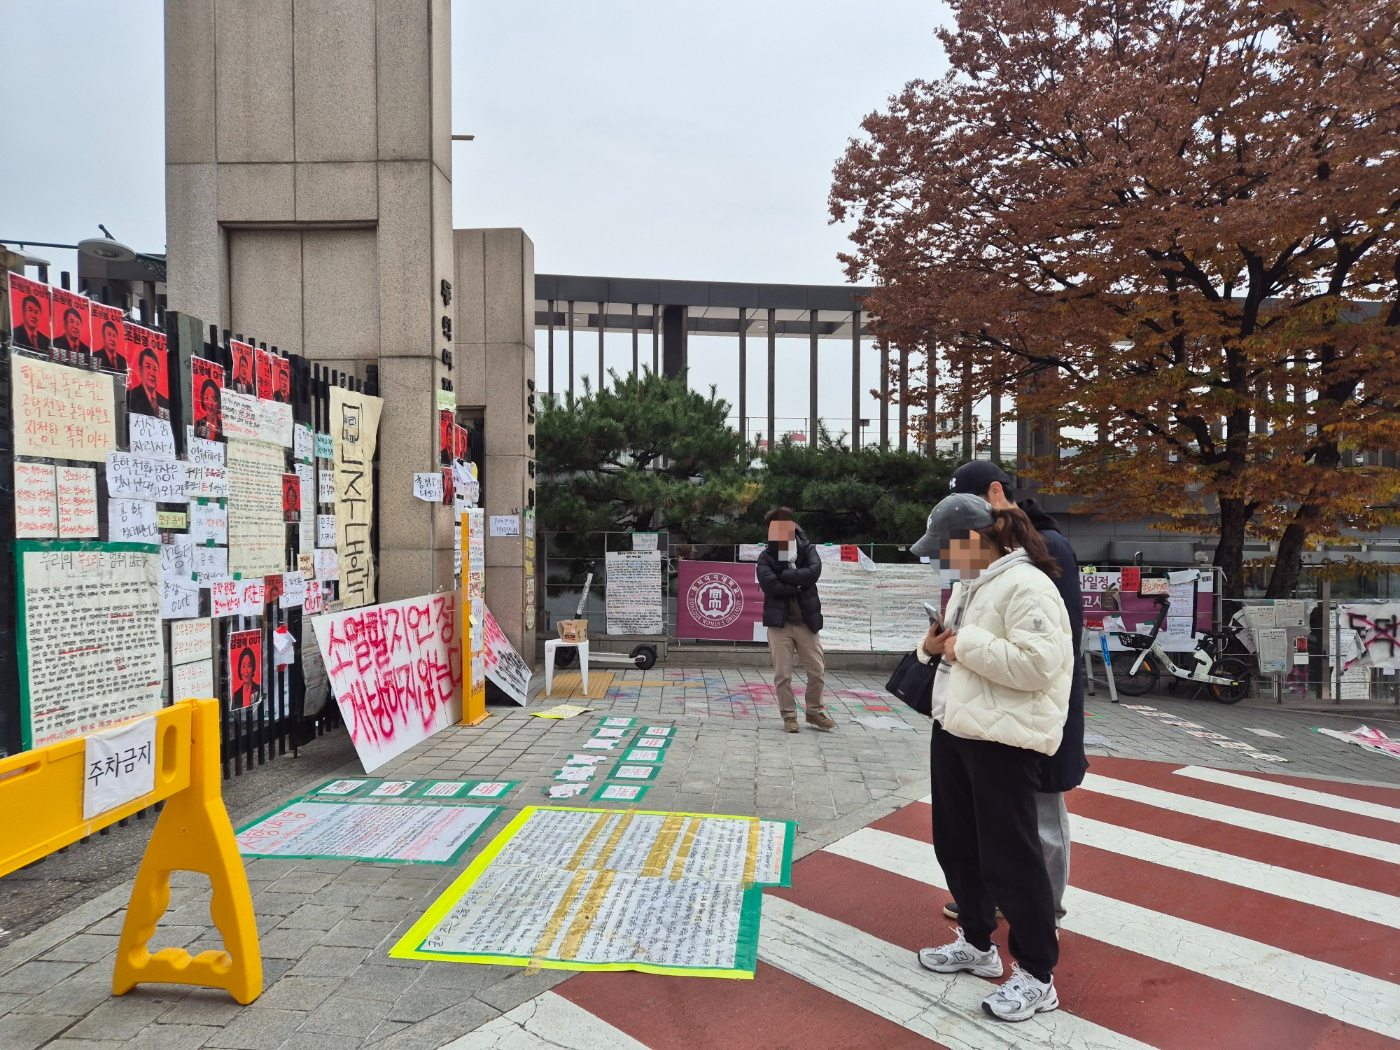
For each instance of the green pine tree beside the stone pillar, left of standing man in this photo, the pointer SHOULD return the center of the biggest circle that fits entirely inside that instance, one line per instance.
(645, 454)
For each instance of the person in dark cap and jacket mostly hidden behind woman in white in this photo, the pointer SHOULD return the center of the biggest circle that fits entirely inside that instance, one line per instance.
(1063, 771)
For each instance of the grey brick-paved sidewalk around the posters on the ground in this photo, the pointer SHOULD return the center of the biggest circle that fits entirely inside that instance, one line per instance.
(327, 926)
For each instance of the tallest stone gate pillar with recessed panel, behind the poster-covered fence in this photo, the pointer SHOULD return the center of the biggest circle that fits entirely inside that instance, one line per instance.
(309, 183)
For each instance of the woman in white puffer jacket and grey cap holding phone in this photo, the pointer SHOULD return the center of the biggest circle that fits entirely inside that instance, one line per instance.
(1000, 699)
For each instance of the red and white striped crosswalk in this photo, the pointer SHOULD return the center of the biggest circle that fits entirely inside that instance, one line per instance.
(1206, 911)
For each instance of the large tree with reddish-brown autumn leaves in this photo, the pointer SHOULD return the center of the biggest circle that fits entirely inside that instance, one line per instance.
(1170, 227)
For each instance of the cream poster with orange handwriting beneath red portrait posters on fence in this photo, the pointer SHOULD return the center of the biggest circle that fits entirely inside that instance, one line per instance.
(62, 414)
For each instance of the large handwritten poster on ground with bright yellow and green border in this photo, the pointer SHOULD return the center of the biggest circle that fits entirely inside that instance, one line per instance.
(605, 890)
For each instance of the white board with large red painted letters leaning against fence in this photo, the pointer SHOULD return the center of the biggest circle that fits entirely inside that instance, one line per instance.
(397, 673)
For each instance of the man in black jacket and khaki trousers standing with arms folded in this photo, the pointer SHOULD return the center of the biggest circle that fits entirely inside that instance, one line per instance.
(789, 570)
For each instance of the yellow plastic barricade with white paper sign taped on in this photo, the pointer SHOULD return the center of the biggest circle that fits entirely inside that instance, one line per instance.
(194, 834)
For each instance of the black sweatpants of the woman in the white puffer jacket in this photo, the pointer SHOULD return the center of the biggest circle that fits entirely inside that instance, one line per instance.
(989, 845)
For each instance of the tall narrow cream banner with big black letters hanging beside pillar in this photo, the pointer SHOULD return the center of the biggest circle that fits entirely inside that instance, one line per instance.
(355, 425)
